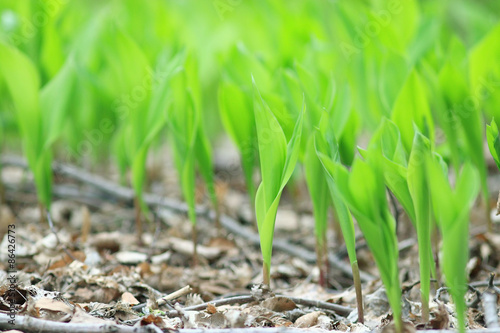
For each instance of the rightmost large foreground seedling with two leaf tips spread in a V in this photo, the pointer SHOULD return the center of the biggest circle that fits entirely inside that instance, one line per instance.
(451, 209)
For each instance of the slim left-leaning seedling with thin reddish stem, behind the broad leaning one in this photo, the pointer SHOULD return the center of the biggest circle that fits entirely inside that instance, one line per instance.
(327, 151)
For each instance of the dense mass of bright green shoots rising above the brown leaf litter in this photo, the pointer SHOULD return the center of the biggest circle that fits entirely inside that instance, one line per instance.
(81, 80)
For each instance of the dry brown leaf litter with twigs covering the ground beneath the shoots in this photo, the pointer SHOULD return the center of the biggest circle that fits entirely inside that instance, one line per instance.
(105, 277)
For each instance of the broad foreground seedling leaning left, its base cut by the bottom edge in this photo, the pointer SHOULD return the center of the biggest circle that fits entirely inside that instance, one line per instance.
(364, 192)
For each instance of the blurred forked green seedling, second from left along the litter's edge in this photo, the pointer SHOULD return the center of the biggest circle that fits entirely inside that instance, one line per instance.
(146, 117)
